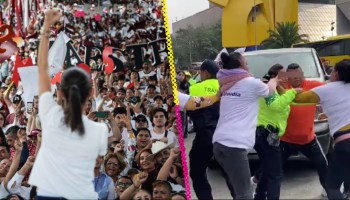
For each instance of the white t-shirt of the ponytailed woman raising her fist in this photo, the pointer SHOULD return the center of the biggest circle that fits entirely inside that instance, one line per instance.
(65, 163)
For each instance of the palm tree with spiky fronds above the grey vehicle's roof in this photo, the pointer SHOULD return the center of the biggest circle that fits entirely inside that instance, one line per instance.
(285, 35)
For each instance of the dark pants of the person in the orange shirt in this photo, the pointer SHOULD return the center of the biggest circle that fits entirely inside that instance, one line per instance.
(313, 152)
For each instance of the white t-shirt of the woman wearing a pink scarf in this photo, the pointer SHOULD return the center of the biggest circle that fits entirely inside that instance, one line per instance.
(238, 114)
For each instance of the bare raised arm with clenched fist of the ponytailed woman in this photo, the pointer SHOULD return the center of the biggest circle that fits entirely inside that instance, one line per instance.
(51, 16)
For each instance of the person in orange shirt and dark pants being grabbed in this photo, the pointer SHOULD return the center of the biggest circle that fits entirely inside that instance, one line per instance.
(300, 134)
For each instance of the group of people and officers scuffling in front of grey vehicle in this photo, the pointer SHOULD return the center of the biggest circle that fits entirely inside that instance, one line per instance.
(273, 116)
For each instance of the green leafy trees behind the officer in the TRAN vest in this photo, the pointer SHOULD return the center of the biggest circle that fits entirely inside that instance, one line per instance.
(196, 44)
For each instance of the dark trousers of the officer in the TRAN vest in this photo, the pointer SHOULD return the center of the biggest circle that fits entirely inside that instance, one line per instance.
(200, 156)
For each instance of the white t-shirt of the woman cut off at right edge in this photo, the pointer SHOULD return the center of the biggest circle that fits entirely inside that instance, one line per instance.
(335, 102)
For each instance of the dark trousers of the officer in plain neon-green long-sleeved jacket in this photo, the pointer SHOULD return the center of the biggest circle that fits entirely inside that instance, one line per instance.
(270, 179)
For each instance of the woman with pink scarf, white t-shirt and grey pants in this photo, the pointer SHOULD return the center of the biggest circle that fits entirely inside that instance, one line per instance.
(235, 132)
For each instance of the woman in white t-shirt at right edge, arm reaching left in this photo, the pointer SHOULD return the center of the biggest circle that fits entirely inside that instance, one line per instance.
(334, 98)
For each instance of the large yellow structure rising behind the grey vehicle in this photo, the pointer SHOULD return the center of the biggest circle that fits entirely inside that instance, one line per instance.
(238, 28)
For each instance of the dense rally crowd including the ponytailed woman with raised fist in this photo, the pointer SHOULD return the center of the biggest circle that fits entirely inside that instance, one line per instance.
(135, 131)
